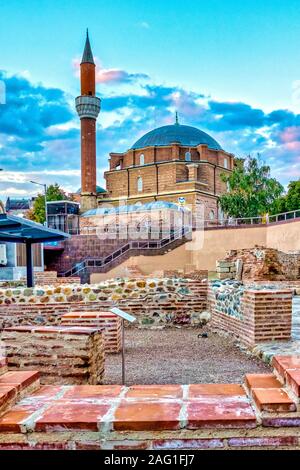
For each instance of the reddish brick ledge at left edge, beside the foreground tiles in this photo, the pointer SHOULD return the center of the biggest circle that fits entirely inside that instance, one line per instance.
(15, 386)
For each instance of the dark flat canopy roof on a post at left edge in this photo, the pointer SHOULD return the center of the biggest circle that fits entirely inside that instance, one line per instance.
(18, 230)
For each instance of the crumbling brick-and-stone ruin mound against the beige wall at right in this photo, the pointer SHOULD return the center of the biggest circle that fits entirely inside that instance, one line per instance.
(261, 264)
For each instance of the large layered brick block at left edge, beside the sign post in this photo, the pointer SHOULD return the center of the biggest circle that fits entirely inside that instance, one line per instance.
(62, 355)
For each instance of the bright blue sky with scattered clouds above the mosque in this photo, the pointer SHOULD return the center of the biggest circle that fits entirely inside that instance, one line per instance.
(230, 68)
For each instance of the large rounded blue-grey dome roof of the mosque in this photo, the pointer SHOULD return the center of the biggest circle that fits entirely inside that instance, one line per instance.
(186, 136)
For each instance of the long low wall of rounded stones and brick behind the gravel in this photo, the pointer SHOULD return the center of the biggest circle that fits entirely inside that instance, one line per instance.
(155, 302)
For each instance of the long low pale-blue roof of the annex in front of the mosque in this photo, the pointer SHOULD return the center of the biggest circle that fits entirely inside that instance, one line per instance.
(138, 207)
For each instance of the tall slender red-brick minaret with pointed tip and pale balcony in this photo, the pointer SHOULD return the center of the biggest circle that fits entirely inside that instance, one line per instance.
(88, 108)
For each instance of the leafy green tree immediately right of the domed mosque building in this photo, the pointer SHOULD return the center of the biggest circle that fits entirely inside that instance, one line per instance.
(251, 190)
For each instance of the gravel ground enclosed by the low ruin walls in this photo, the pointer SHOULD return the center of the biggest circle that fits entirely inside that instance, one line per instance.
(178, 356)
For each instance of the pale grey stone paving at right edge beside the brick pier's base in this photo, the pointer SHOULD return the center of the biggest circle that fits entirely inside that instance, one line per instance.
(267, 350)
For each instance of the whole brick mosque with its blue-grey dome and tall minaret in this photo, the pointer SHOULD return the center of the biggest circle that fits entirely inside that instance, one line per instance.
(177, 164)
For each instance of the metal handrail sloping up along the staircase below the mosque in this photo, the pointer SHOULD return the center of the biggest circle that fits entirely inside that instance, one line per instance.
(131, 245)
